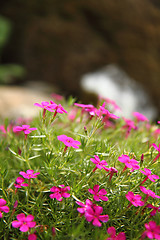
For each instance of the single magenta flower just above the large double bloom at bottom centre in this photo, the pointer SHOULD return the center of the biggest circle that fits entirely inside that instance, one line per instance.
(98, 194)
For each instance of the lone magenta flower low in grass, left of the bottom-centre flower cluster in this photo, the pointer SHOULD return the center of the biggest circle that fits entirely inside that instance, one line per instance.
(60, 192)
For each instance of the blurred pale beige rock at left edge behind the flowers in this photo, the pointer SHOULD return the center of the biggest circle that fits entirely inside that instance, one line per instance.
(18, 102)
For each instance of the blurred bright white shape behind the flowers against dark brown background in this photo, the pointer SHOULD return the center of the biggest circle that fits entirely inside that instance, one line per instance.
(113, 83)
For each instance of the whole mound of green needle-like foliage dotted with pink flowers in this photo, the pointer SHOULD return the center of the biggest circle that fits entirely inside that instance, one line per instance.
(79, 172)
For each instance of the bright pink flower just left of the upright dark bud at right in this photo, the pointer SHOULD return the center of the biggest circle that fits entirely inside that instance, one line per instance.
(129, 163)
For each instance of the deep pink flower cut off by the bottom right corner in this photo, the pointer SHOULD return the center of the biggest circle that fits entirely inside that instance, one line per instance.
(152, 230)
